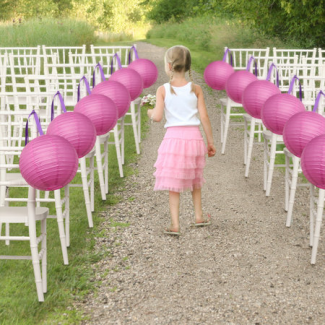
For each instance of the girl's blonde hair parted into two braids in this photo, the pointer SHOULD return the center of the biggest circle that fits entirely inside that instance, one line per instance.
(179, 57)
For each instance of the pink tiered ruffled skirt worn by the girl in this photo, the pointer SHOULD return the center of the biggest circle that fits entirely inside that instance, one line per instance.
(181, 160)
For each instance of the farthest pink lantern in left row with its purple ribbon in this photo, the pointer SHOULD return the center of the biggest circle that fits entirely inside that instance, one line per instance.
(146, 69)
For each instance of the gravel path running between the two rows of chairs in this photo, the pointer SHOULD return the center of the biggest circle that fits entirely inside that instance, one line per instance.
(247, 268)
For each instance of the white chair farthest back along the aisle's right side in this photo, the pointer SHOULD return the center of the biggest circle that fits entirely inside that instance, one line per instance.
(230, 109)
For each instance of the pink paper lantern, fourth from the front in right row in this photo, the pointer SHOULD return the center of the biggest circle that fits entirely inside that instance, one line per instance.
(256, 94)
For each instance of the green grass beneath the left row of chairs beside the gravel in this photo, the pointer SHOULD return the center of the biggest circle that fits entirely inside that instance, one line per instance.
(18, 299)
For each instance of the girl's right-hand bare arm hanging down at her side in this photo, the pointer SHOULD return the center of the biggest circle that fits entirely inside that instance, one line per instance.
(205, 121)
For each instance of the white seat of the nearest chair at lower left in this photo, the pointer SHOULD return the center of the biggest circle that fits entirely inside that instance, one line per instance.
(20, 214)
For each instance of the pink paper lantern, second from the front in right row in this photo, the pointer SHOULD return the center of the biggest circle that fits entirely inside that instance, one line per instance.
(300, 129)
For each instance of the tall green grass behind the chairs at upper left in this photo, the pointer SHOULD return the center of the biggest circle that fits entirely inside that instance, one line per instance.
(46, 31)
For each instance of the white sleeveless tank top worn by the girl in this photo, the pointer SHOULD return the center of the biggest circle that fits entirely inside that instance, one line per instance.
(181, 109)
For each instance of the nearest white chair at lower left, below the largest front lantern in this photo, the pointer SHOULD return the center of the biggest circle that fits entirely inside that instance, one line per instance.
(28, 216)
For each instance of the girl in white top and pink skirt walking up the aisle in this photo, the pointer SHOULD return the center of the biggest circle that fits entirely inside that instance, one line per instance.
(181, 155)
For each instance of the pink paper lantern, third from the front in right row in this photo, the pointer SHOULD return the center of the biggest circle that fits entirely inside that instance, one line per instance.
(278, 109)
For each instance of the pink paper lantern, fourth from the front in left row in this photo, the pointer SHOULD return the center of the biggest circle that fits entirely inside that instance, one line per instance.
(117, 93)
